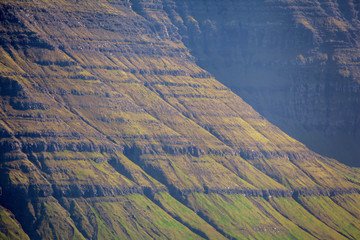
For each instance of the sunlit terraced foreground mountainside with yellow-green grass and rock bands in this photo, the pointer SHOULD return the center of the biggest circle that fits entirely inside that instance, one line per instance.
(109, 130)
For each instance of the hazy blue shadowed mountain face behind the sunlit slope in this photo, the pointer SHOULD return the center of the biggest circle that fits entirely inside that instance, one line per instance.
(295, 62)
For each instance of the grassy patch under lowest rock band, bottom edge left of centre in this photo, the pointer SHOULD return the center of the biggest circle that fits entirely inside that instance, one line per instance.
(130, 217)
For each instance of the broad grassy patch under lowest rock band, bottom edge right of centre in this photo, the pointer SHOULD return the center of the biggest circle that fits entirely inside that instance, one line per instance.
(244, 218)
